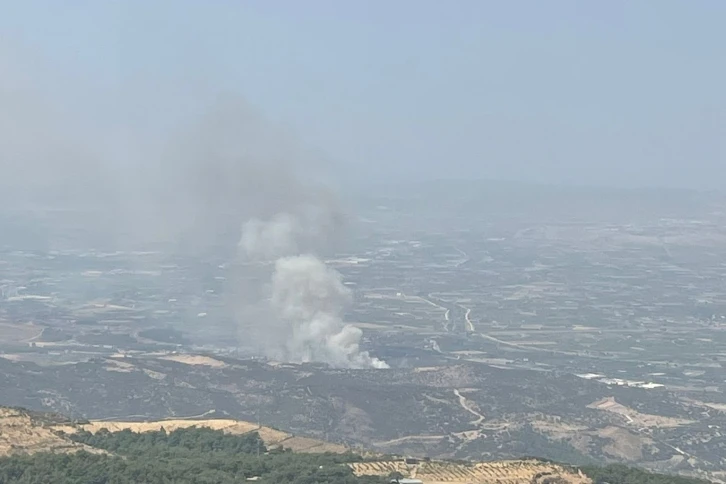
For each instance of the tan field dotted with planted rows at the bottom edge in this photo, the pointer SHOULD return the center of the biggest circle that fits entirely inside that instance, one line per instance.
(502, 472)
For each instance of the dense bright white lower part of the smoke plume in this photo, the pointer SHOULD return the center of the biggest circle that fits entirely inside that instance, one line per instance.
(306, 298)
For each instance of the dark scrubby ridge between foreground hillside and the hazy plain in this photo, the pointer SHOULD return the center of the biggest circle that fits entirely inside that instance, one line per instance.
(462, 410)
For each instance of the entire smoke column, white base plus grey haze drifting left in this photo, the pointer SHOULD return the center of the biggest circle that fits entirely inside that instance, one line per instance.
(228, 178)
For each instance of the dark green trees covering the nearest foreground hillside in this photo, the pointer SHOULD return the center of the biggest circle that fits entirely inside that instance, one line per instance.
(206, 456)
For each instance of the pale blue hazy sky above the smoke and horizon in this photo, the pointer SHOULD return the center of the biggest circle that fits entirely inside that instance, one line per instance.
(610, 92)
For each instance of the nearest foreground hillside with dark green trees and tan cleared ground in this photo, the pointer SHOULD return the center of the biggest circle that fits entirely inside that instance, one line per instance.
(42, 447)
